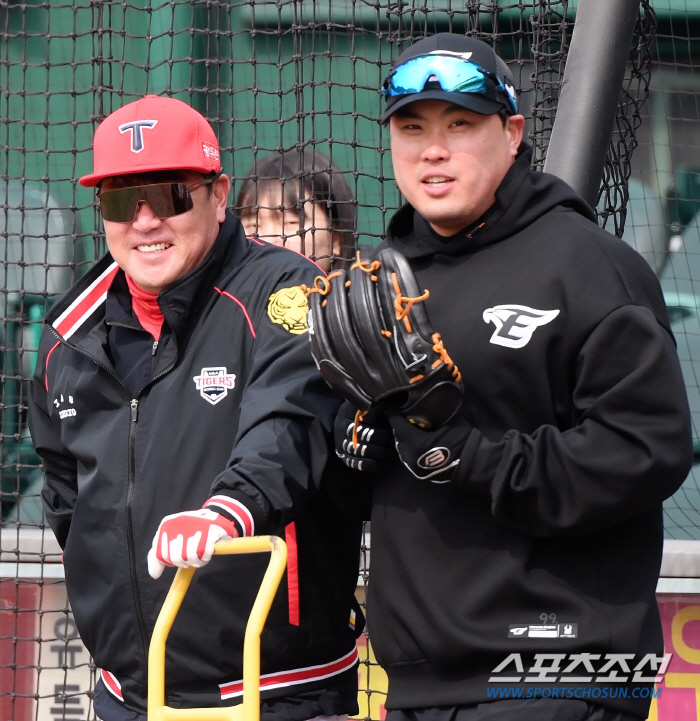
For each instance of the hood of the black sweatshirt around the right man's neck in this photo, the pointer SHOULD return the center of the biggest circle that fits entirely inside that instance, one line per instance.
(522, 198)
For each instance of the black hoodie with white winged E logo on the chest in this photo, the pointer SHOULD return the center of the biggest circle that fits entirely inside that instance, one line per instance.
(581, 430)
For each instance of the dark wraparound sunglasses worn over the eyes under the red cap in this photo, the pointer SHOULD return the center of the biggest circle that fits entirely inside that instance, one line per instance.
(164, 199)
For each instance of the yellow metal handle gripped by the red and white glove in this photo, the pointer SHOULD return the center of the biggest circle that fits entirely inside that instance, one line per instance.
(249, 710)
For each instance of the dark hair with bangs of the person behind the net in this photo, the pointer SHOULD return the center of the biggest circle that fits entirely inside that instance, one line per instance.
(305, 175)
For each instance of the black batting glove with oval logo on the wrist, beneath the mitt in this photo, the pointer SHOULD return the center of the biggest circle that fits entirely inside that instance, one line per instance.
(431, 455)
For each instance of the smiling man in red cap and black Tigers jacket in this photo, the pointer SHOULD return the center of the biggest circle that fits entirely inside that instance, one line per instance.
(175, 403)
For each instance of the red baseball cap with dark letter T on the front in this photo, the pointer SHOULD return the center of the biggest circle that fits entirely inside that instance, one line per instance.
(150, 134)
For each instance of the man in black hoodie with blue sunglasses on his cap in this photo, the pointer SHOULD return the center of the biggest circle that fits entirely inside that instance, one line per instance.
(516, 549)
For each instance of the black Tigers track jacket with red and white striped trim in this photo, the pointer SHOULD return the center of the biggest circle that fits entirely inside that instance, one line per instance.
(237, 408)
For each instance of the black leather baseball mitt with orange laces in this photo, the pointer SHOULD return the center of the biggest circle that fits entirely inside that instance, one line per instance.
(374, 344)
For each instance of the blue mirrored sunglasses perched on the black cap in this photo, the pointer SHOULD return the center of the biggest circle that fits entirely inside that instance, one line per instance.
(454, 74)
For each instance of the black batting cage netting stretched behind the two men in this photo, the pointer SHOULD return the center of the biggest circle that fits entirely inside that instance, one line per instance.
(292, 89)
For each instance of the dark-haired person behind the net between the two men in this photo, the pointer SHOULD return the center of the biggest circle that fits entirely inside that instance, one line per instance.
(302, 201)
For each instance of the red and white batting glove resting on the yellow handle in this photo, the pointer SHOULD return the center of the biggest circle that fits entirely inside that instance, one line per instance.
(187, 539)
